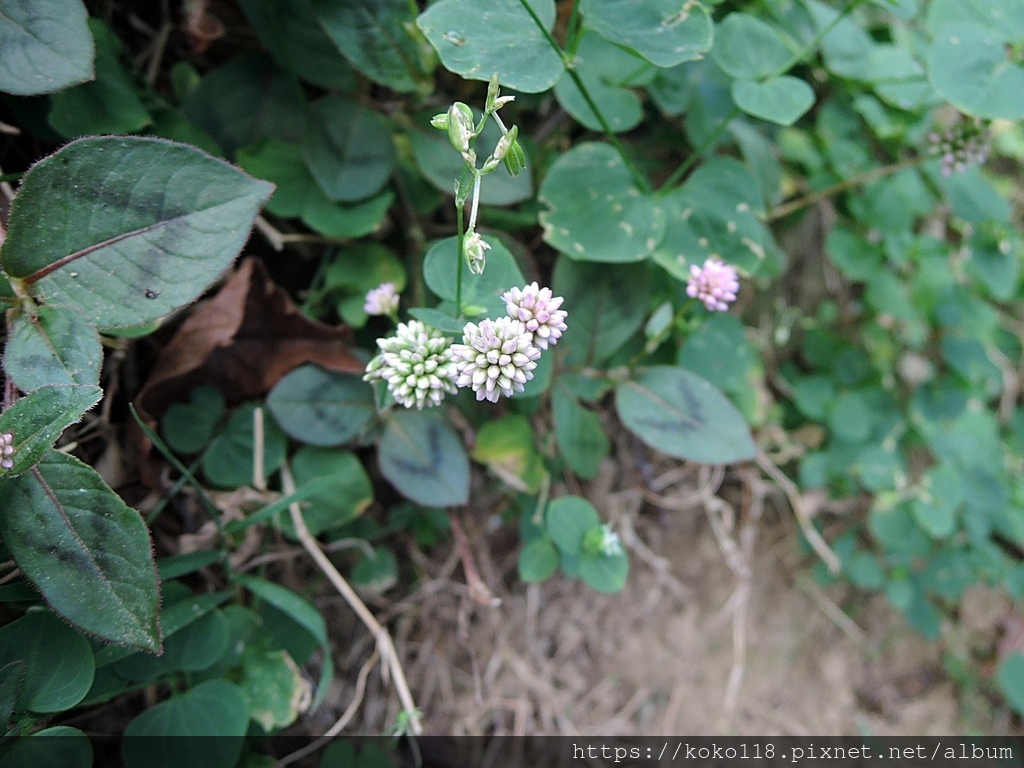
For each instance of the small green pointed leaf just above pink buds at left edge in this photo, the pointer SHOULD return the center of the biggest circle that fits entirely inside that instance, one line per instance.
(38, 419)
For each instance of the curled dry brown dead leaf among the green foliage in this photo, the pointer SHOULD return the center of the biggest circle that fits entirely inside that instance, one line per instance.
(242, 342)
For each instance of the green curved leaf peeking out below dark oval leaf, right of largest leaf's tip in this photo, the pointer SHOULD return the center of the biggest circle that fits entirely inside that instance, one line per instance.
(298, 194)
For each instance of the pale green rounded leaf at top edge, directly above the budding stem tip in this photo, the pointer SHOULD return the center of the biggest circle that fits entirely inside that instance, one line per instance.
(476, 39)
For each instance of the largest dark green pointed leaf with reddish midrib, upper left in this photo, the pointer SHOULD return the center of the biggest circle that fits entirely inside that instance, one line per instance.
(164, 219)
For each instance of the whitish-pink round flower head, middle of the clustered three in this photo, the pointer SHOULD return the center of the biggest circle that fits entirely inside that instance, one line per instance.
(496, 358)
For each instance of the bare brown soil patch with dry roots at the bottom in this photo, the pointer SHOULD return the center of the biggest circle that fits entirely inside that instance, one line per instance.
(658, 658)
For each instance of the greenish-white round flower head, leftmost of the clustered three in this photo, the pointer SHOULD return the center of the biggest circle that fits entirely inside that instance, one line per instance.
(417, 365)
